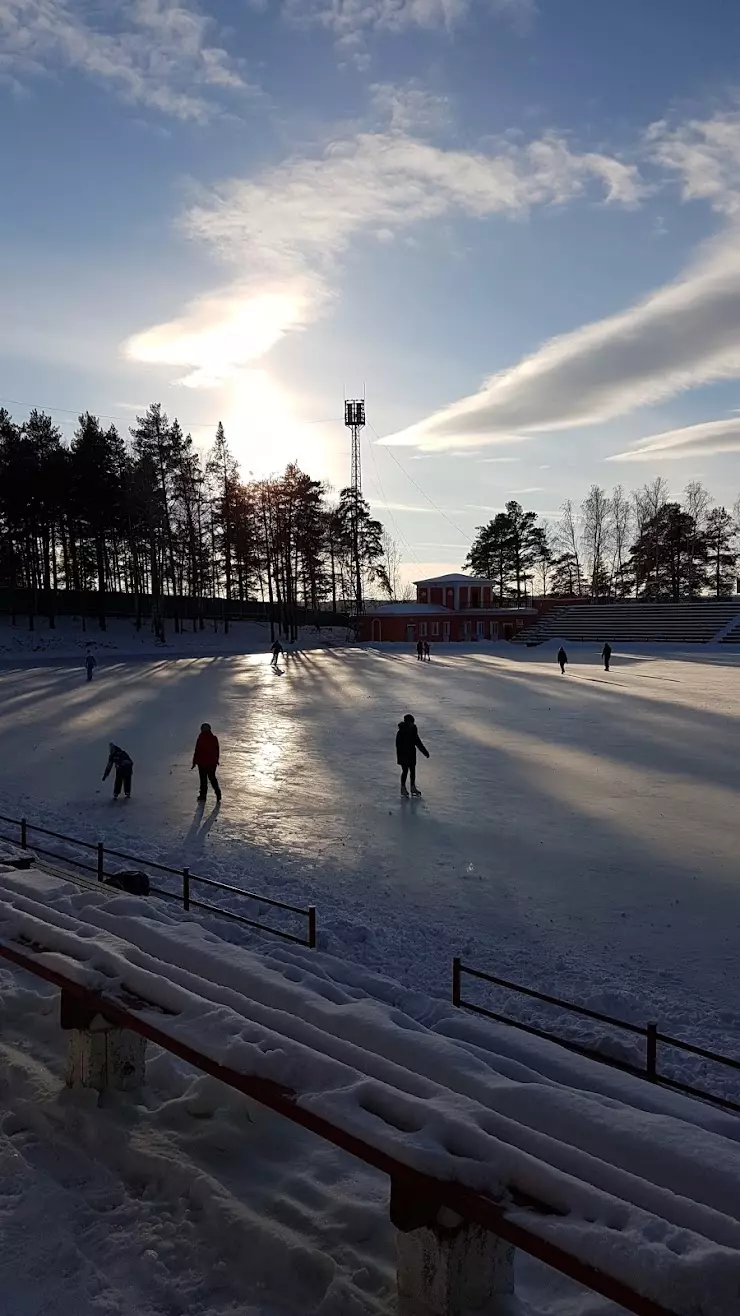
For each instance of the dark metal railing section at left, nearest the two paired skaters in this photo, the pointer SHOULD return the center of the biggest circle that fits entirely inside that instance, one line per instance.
(185, 877)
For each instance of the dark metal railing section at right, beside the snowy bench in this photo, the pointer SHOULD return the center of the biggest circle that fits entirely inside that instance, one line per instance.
(651, 1034)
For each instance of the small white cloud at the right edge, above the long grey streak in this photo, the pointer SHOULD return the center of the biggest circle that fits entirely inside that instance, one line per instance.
(706, 157)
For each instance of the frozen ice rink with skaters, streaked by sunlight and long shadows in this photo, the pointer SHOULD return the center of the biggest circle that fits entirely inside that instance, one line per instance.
(576, 831)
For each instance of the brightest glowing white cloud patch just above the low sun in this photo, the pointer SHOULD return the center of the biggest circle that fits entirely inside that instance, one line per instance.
(219, 335)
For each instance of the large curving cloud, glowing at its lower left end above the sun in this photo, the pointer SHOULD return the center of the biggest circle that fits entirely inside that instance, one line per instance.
(292, 226)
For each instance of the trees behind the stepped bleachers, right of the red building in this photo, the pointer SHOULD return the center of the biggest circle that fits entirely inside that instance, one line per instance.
(620, 545)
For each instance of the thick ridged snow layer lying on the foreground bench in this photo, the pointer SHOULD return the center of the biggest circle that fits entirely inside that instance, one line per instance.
(646, 1181)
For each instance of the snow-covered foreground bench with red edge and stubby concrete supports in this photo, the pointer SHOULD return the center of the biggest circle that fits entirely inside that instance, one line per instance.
(492, 1143)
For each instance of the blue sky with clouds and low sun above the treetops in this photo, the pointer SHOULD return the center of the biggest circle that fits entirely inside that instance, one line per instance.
(512, 226)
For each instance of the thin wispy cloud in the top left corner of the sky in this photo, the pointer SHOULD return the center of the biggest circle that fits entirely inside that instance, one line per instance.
(153, 53)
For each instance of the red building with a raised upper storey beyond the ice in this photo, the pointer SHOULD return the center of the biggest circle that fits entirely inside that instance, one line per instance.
(452, 607)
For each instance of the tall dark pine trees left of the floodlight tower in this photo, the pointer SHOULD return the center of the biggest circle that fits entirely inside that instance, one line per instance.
(149, 517)
